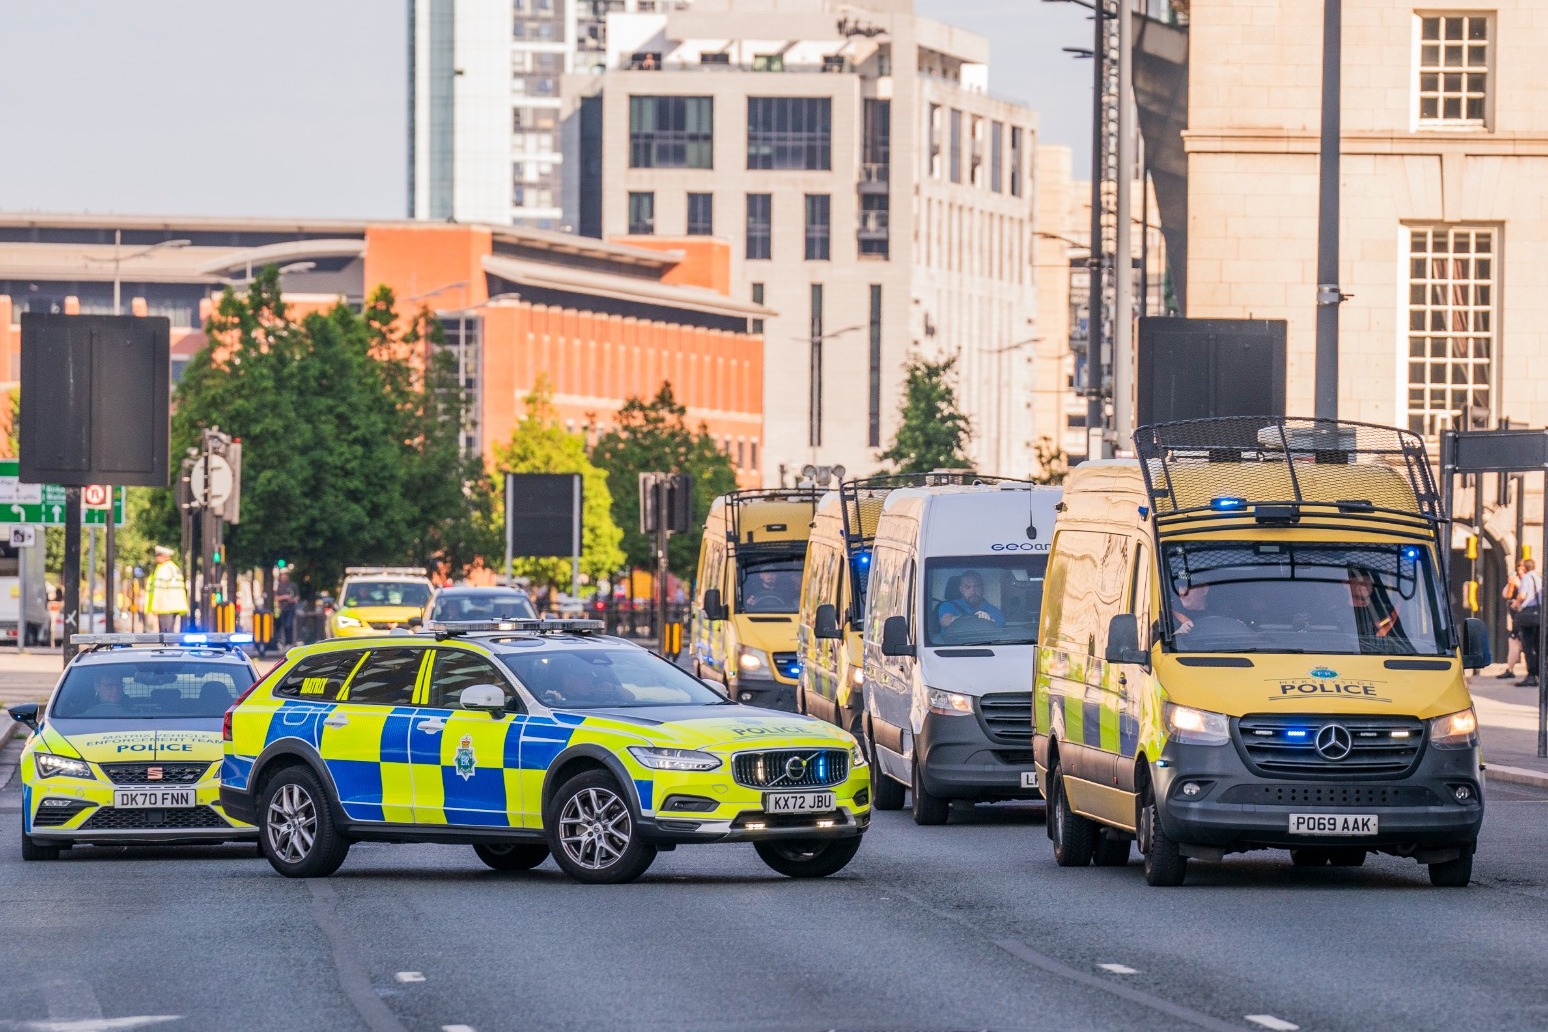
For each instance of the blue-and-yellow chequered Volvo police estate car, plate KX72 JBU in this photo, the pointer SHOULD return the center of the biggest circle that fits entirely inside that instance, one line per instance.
(532, 739)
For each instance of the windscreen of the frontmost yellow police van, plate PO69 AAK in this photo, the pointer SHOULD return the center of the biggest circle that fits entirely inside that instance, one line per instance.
(1341, 600)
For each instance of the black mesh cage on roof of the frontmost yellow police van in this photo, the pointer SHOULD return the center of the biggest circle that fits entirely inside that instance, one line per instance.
(1276, 470)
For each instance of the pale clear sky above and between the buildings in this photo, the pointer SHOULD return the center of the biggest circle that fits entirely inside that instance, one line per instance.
(298, 108)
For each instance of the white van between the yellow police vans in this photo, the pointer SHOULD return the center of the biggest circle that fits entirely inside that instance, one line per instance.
(950, 643)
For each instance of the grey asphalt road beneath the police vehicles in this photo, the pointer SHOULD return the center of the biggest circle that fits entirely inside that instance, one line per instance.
(962, 928)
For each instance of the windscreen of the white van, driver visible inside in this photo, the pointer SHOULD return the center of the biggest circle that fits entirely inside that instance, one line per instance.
(984, 600)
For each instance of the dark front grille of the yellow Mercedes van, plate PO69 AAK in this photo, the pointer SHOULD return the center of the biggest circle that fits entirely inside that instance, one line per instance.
(1286, 745)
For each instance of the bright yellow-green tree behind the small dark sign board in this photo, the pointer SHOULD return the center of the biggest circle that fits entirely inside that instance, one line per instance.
(541, 445)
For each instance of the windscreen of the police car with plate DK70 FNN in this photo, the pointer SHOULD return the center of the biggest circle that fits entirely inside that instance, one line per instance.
(151, 691)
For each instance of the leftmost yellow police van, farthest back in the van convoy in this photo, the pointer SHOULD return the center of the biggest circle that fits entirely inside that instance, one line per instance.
(747, 593)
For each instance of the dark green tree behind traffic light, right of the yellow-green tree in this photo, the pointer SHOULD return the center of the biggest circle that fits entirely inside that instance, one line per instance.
(652, 437)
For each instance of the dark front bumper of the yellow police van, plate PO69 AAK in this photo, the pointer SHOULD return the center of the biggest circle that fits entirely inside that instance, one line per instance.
(1236, 810)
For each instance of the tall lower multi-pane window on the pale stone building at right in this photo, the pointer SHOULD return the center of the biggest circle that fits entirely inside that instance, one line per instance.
(1453, 273)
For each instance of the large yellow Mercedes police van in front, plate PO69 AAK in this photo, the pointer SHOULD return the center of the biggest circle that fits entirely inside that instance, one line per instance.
(1247, 644)
